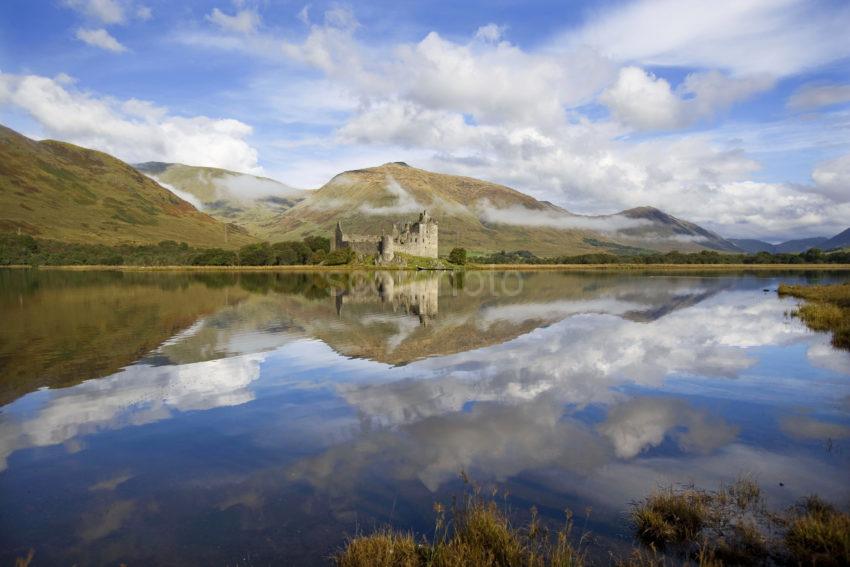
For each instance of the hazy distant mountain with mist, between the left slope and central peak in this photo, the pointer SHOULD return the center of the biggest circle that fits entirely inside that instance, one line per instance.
(247, 200)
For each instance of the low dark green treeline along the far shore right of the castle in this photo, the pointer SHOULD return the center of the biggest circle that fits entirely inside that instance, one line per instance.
(813, 256)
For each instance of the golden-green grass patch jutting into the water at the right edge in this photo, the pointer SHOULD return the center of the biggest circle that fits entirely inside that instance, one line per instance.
(825, 308)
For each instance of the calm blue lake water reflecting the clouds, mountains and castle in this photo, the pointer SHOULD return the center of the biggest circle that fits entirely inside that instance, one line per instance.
(259, 418)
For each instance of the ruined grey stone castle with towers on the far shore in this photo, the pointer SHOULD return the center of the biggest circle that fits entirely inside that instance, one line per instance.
(417, 239)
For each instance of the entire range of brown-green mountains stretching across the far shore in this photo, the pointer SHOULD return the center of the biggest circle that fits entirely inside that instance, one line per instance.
(61, 191)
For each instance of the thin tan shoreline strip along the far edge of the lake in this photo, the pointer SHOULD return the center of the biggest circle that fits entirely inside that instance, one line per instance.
(468, 267)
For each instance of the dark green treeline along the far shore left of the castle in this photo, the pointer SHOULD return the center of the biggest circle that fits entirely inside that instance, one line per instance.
(24, 249)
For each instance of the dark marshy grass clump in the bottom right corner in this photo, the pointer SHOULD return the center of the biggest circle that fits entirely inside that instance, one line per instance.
(732, 526)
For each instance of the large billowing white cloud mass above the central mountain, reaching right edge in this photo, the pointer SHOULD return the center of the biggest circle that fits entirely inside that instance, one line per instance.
(468, 103)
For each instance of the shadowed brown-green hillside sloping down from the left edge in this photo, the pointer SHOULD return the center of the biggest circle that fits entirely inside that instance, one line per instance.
(61, 191)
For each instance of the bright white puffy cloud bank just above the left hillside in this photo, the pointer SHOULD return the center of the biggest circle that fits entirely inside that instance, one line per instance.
(134, 131)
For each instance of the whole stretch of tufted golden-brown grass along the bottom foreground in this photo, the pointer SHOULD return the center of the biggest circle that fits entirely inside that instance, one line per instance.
(729, 526)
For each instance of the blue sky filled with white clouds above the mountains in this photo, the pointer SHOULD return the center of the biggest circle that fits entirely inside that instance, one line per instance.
(731, 114)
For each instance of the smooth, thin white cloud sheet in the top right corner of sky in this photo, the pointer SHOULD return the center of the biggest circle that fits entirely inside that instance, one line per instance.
(775, 37)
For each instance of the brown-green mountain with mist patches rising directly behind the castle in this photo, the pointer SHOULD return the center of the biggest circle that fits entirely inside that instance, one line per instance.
(480, 216)
